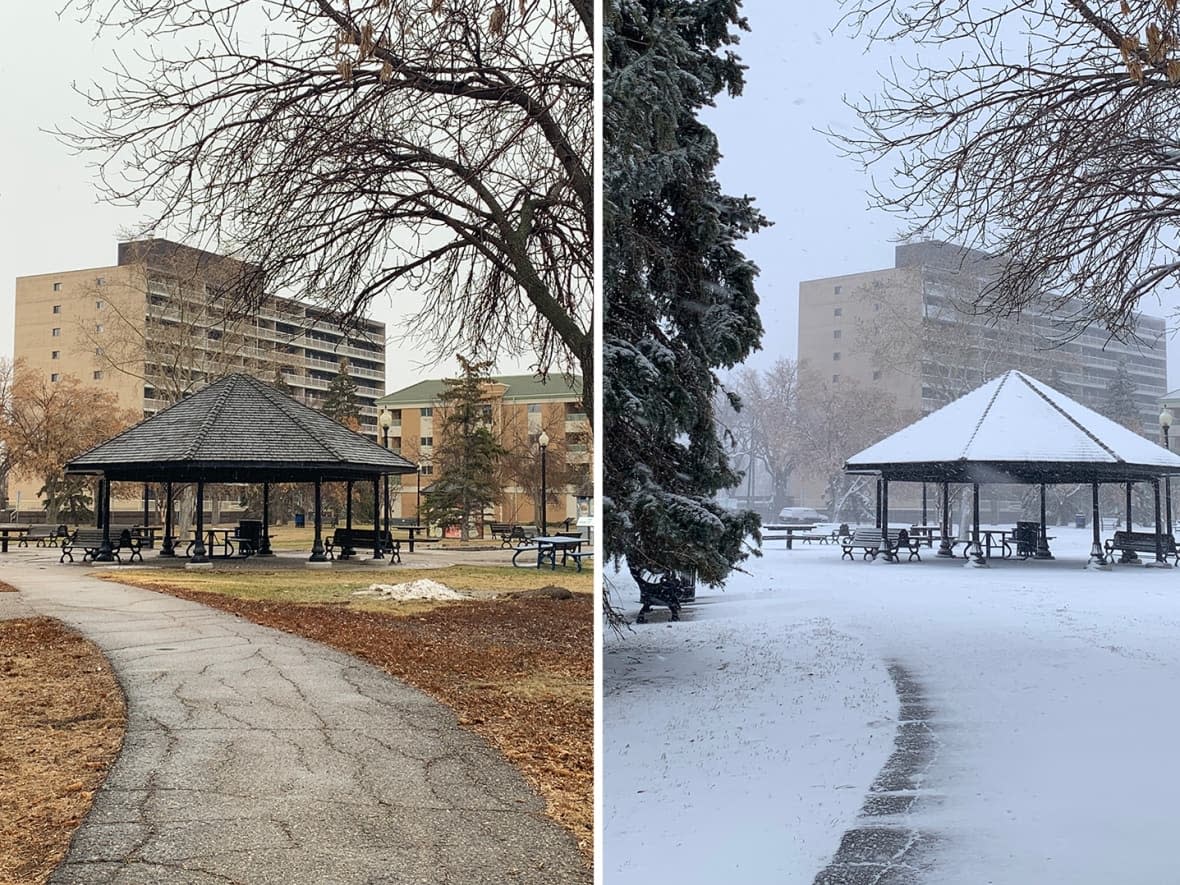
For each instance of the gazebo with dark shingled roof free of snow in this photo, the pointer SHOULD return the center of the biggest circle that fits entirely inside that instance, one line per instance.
(238, 430)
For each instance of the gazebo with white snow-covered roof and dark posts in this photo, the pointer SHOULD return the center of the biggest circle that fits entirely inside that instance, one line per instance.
(1017, 430)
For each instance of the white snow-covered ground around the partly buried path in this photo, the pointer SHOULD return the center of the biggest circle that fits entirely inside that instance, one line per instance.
(742, 744)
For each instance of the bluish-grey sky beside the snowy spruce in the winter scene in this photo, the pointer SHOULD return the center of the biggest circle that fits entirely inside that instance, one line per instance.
(799, 74)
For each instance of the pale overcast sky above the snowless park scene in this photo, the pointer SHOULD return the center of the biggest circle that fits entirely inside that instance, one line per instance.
(49, 208)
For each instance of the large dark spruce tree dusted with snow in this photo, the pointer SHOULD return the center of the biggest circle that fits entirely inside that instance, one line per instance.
(679, 296)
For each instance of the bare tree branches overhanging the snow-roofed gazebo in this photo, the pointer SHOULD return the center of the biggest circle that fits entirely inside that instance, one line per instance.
(1043, 130)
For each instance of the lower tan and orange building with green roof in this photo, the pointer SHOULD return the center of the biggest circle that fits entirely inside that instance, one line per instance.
(520, 408)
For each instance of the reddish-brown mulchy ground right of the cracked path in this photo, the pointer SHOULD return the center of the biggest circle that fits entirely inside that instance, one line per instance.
(517, 672)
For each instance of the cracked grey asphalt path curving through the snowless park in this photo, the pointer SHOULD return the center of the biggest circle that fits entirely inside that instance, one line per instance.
(255, 757)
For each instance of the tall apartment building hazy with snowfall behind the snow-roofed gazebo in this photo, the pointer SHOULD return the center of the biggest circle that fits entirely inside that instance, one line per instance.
(902, 331)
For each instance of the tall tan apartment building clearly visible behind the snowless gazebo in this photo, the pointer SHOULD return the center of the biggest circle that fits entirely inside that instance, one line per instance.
(155, 326)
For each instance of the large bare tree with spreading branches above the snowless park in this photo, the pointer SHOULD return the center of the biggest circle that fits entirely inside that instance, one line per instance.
(369, 148)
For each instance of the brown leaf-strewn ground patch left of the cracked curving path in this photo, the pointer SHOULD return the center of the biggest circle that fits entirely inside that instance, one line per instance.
(62, 722)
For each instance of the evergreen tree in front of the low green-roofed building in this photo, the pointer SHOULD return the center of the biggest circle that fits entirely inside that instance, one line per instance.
(466, 453)
